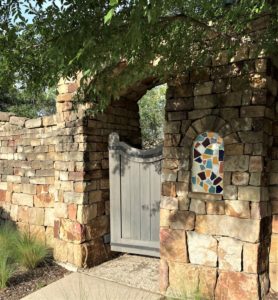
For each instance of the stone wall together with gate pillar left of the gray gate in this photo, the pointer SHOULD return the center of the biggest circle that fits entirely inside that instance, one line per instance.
(54, 175)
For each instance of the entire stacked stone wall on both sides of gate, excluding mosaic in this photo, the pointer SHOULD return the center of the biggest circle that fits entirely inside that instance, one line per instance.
(54, 178)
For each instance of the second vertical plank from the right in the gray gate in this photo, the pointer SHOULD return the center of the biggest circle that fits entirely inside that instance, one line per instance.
(145, 202)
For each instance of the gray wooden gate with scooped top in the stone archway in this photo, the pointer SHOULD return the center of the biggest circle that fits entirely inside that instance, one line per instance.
(135, 188)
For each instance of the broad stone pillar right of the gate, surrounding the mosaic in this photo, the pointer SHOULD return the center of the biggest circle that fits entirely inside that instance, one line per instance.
(218, 245)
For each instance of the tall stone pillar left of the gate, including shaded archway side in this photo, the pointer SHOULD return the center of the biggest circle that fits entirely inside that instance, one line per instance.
(82, 215)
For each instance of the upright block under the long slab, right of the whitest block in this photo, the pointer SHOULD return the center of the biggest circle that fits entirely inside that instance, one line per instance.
(229, 254)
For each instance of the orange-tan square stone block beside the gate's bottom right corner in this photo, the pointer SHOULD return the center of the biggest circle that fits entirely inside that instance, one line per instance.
(173, 245)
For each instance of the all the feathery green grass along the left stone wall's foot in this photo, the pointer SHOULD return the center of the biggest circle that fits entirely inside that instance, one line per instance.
(18, 250)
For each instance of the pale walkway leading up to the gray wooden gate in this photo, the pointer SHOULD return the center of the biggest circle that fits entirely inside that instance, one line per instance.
(128, 277)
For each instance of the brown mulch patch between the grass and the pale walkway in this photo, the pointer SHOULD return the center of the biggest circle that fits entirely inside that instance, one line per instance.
(24, 282)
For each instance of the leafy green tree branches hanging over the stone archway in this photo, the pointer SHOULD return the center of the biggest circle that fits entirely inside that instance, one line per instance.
(44, 40)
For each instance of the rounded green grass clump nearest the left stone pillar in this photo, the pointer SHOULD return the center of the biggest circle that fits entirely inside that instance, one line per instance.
(30, 252)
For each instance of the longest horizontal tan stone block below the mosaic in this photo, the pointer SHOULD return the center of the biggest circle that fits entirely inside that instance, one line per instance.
(242, 229)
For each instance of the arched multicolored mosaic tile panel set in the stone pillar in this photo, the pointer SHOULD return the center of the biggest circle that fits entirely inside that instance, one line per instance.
(208, 165)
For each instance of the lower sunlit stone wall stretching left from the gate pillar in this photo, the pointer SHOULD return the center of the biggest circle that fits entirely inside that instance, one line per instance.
(27, 156)
